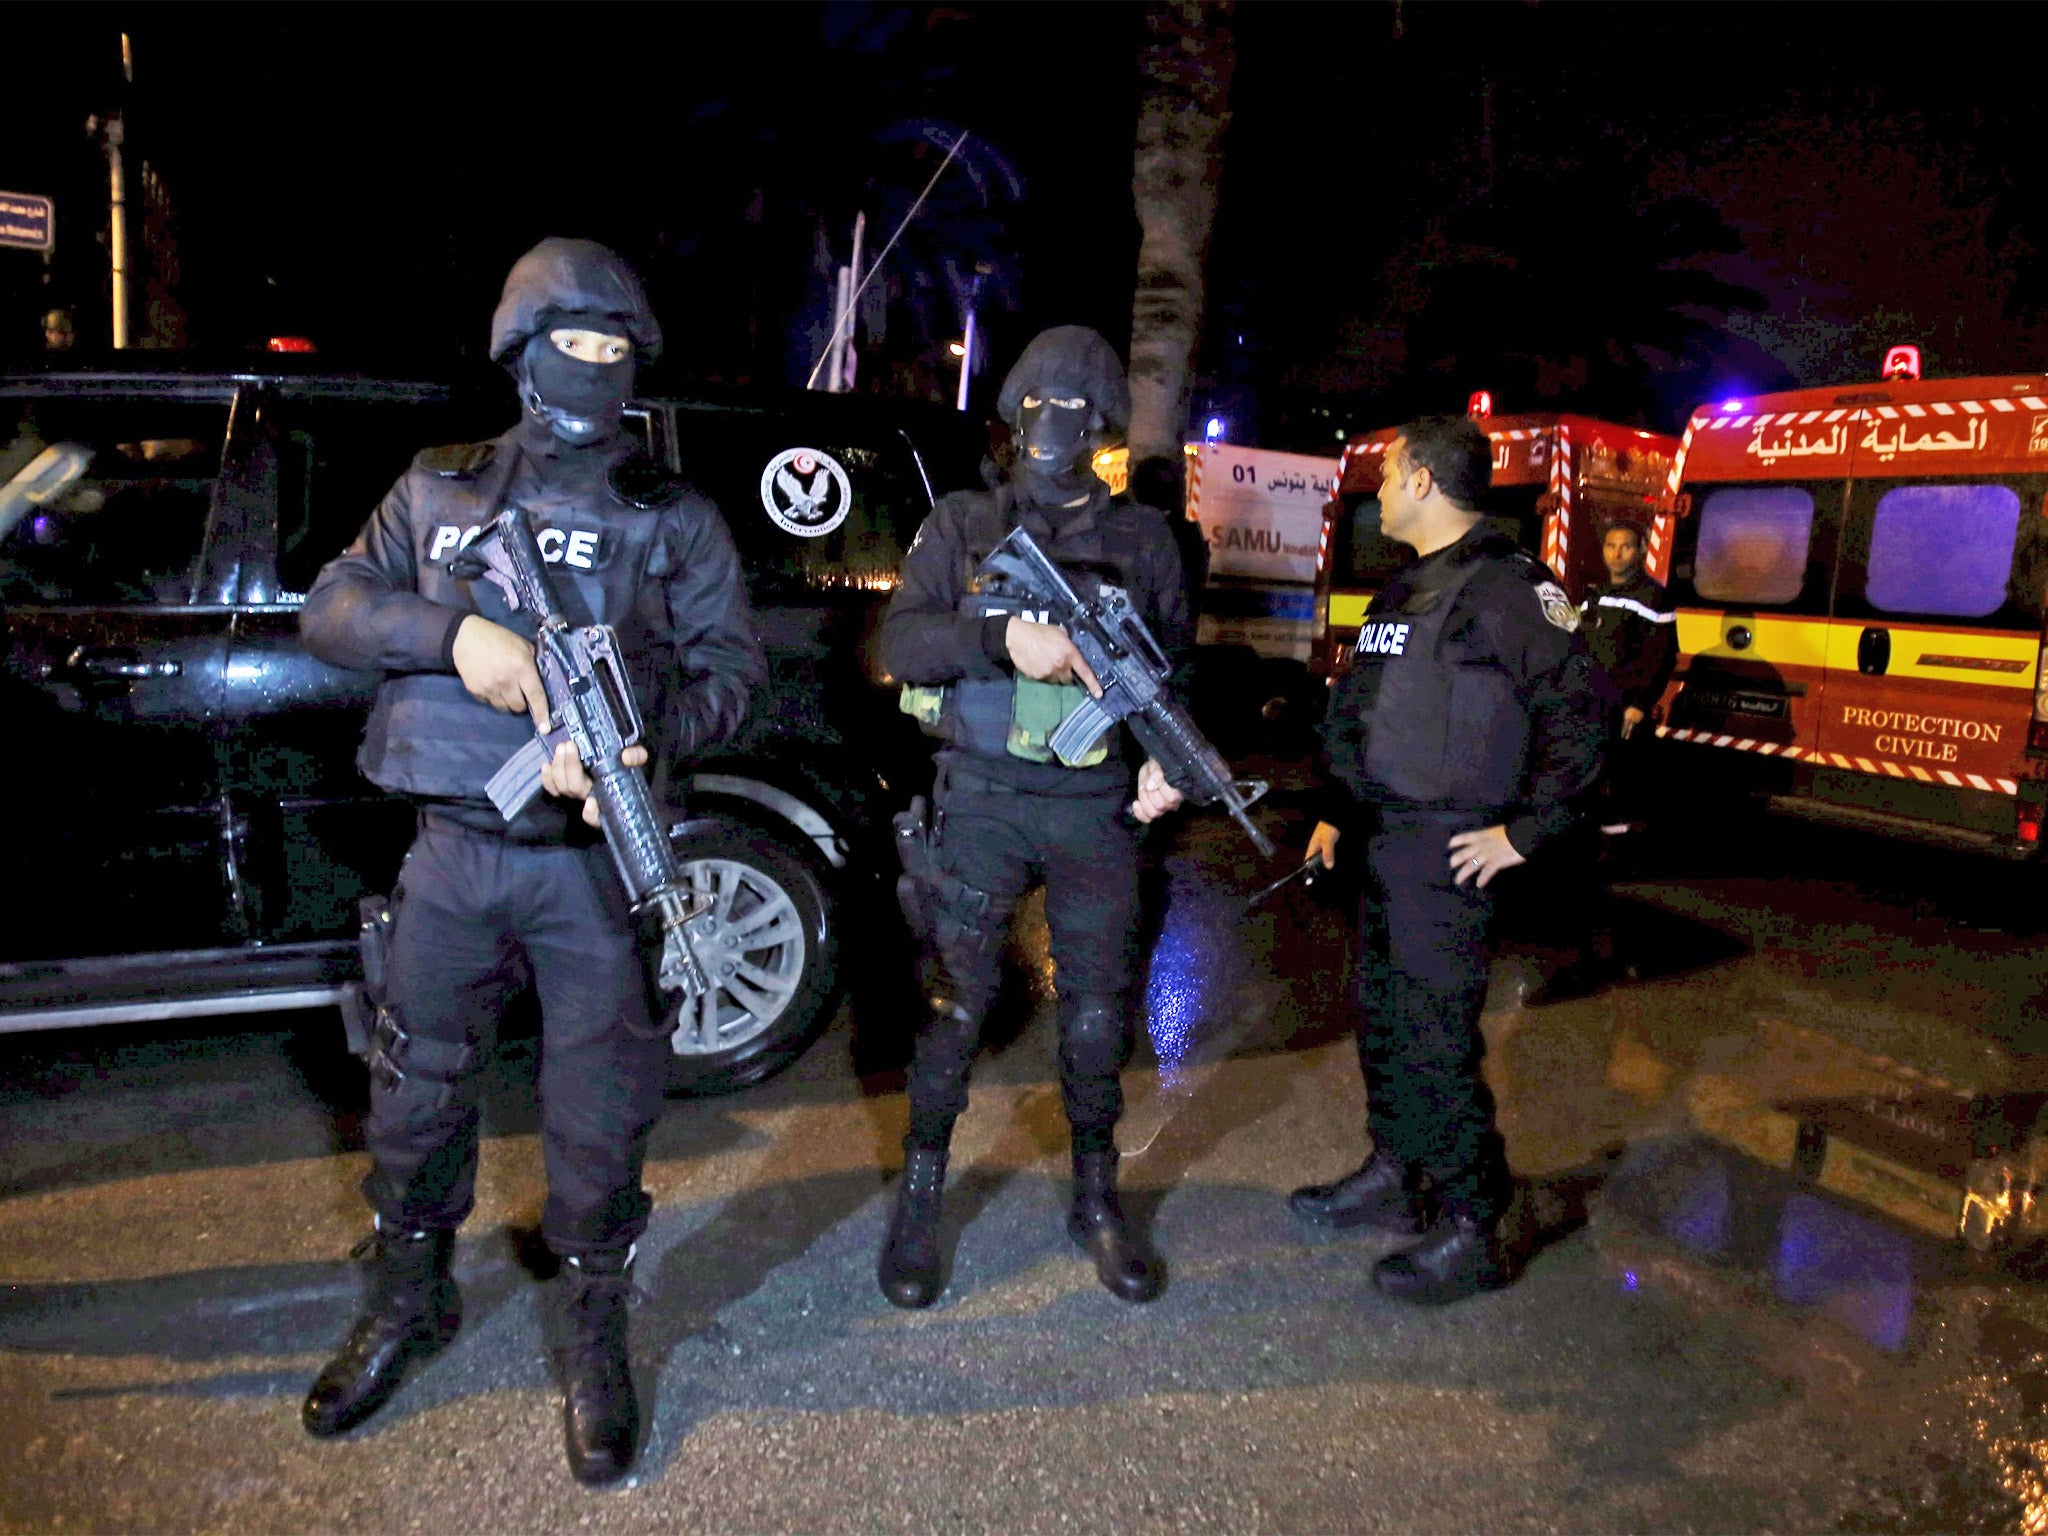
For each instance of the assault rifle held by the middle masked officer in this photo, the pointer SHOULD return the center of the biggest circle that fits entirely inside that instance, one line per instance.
(1134, 673)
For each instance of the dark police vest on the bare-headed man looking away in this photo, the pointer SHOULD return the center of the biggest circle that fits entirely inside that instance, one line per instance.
(1441, 730)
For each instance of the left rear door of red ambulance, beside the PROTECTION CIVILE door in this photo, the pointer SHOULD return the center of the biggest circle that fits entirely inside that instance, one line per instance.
(1752, 581)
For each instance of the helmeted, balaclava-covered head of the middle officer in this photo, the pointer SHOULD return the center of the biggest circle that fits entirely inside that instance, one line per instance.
(1056, 443)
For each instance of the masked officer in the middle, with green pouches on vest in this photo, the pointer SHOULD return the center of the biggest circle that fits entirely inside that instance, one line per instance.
(994, 685)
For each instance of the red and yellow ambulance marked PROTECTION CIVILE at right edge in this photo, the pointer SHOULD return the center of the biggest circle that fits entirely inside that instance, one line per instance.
(1859, 577)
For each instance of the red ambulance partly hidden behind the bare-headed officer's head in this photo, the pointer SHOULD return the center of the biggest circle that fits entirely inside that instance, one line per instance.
(1560, 482)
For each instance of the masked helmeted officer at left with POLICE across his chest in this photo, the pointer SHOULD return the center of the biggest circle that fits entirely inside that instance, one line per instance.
(484, 906)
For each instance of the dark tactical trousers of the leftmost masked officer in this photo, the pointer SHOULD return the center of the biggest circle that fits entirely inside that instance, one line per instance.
(474, 921)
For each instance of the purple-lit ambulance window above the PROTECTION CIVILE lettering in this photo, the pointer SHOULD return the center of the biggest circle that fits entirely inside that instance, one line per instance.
(1943, 550)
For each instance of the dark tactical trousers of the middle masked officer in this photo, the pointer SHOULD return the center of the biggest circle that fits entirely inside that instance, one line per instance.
(1086, 855)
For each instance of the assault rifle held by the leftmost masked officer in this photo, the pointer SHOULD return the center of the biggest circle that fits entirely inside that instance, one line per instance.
(593, 708)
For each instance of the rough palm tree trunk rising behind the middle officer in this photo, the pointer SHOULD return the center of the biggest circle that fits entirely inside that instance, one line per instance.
(1183, 114)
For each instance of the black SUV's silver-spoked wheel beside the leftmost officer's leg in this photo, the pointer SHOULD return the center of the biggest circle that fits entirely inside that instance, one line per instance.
(773, 959)
